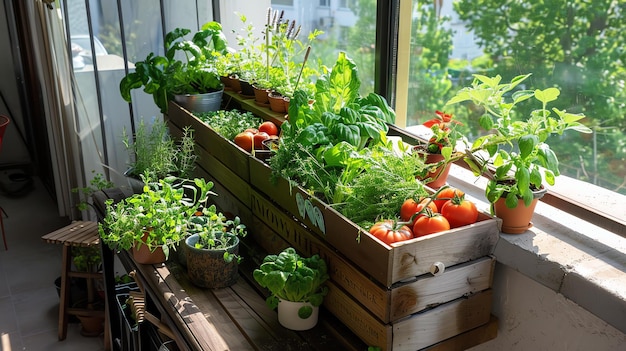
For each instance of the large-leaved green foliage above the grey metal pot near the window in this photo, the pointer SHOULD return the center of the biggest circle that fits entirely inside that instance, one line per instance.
(166, 76)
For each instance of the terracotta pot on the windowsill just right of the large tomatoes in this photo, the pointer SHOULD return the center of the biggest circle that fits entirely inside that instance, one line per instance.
(516, 220)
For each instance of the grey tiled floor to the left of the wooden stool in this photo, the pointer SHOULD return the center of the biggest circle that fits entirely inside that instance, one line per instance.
(28, 297)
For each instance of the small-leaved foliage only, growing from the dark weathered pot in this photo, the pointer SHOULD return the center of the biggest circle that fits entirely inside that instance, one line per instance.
(215, 231)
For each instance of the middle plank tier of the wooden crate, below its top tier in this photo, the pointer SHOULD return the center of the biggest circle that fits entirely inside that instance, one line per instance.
(385, 304)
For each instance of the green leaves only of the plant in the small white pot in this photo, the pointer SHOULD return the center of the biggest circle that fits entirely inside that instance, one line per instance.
(290, 277)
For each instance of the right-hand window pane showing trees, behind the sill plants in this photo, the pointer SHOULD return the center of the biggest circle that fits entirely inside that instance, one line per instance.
(578, 50)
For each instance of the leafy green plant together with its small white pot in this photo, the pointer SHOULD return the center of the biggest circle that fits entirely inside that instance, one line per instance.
(297, 287)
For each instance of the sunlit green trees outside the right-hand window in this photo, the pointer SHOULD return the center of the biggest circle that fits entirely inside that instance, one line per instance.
(576, 46)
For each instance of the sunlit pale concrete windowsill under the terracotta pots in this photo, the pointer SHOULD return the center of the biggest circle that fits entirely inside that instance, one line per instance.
(579, 260)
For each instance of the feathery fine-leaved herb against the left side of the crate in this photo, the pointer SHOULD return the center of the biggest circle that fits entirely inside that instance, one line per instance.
(155, 154)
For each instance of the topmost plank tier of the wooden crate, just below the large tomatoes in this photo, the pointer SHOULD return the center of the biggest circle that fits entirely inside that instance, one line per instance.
(386, 264)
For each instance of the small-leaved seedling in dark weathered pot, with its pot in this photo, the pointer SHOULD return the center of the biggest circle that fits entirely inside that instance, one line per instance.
(212, 248)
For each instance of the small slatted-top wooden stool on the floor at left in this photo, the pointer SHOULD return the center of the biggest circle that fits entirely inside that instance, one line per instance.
(77, 234)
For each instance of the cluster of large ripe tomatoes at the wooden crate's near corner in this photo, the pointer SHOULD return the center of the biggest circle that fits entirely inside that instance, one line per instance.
(446, 209)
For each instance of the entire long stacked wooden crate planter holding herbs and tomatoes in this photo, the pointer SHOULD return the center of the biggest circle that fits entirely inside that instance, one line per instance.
(385, 294)
